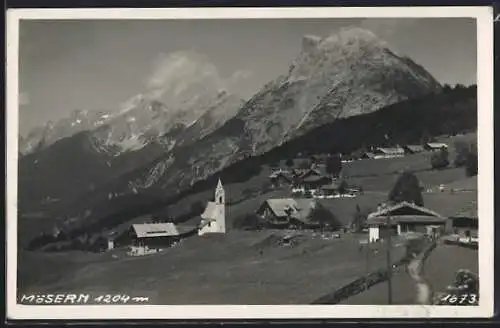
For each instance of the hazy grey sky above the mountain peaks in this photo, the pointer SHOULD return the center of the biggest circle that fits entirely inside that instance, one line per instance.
(99, 64)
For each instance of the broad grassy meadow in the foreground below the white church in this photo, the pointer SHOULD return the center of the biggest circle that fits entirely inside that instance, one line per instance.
(230, 270)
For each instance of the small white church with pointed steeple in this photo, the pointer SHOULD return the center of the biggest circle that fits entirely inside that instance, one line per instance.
(213, 218)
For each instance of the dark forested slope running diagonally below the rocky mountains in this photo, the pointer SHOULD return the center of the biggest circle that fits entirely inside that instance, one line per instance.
(446, 113)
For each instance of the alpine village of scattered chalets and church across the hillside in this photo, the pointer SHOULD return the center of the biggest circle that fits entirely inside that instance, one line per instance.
(303, 210)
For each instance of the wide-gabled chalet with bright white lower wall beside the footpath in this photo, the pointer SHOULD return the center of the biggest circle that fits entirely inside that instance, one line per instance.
(403, 218)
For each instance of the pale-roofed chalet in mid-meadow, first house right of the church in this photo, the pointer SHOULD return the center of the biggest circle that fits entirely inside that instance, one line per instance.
(294, 213)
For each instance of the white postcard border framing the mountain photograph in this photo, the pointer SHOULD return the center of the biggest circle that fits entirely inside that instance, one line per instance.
(484, 17)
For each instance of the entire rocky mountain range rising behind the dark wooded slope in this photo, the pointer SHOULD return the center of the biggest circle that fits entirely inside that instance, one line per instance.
(150, 147)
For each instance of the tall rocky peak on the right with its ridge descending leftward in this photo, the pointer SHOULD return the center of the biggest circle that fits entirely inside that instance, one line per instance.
(347, 74)
